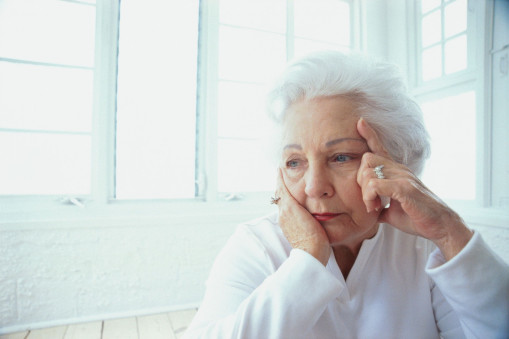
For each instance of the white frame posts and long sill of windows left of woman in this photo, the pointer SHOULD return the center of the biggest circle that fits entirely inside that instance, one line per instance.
(100, 209)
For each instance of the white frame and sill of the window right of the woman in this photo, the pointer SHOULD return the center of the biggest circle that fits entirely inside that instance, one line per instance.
(478, 79)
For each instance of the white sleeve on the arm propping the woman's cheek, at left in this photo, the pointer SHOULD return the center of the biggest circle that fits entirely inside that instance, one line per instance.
(244, 299)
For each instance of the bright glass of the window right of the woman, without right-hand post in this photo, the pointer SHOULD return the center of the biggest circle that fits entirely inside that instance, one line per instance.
(447, 89)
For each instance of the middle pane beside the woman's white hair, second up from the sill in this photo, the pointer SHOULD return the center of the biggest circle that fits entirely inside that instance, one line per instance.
(241, 110)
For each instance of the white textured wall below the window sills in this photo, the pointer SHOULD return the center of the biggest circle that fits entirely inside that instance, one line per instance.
(52, 276)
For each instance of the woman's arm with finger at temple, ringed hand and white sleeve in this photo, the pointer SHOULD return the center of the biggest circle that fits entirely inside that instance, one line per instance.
(473, 280)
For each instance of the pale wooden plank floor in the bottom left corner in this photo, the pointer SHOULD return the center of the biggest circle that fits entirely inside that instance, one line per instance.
(167, 325)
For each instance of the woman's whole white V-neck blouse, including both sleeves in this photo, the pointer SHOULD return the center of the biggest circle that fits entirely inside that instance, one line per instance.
(399, 287)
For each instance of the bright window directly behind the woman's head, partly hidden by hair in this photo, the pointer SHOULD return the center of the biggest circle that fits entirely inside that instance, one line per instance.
(253, 48)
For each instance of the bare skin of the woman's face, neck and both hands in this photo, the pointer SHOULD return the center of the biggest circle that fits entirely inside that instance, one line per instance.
(327, 167)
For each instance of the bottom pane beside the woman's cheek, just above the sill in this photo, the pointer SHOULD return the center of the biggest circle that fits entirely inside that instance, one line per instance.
(244, 166)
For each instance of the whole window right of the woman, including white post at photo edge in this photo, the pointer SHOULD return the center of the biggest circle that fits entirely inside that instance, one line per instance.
(458, 85)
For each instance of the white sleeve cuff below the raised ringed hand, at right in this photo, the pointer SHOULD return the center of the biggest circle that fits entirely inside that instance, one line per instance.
(475, 284)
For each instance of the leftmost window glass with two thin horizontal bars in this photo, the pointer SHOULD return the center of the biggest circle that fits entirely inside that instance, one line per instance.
(46, 96)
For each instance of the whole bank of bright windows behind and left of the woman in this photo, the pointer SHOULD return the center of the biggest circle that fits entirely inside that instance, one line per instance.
(147, 99)
